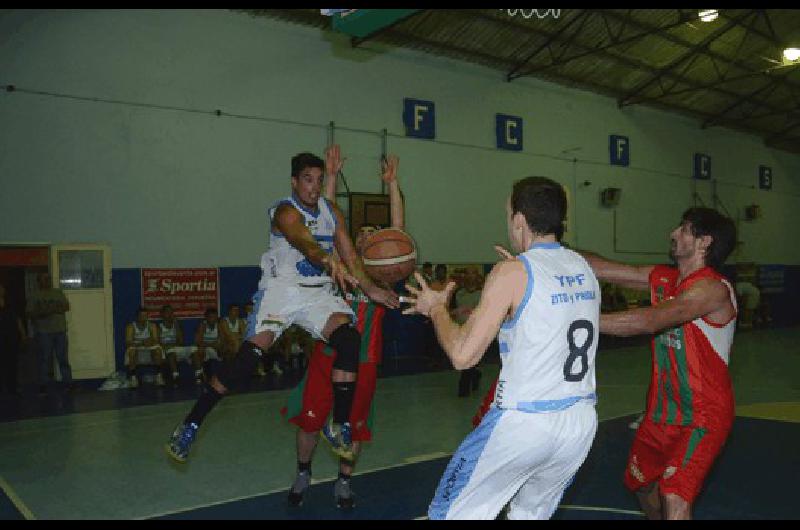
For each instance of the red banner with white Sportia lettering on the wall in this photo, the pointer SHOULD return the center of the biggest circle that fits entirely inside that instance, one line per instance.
(189, 291)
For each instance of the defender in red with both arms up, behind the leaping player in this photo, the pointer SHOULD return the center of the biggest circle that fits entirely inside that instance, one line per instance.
(309, 403)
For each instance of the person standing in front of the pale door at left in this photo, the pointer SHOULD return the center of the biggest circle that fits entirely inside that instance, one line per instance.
(47, 308)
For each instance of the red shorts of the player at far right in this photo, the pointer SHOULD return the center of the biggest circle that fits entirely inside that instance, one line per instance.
(690, 450)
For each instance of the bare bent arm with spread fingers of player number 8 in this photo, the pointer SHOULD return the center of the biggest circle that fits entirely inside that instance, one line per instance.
(466, 344)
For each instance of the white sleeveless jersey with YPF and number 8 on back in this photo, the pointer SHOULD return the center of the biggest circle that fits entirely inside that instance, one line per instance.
(548, 348)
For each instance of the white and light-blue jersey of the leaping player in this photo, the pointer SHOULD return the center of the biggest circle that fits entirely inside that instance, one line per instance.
(284, 261)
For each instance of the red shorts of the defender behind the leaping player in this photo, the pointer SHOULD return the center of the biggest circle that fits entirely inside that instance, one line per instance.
(311, 401)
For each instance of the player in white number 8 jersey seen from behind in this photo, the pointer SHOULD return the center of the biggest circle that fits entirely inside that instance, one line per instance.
(545, 304)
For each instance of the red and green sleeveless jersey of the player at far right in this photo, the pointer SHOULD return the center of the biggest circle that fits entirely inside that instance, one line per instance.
(690, 383)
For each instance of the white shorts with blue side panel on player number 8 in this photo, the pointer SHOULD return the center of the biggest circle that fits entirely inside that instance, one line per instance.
(526, 458)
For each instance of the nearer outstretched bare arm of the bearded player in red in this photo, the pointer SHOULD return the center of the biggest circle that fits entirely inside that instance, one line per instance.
(706, 298)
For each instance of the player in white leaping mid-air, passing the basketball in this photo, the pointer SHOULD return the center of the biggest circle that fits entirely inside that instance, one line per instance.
(296, 287)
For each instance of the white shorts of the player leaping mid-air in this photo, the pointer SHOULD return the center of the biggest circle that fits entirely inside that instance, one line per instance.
(281, 304)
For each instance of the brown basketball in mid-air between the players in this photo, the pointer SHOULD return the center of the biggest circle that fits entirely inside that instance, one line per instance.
(389, 255)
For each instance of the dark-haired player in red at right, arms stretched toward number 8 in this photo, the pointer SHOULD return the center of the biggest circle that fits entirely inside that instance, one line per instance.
(690, 404)
